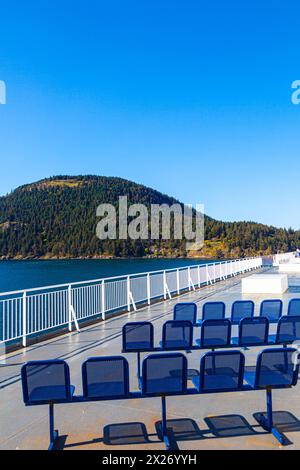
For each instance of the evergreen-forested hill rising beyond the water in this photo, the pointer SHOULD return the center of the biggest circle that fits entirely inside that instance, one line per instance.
(56, 218)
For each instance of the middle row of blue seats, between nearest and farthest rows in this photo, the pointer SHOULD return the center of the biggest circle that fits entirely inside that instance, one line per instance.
(179, 334)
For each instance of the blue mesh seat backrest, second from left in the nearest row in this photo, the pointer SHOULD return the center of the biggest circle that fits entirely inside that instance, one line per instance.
(105, 377)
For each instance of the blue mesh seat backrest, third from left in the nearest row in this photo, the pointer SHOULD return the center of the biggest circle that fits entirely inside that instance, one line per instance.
(164, 374)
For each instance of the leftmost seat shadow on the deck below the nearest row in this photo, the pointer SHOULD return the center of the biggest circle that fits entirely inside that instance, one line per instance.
(125, 434)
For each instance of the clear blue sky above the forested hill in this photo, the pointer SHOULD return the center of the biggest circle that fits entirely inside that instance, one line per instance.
(190, 97)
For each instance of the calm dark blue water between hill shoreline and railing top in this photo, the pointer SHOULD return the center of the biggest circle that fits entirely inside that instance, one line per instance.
(15, 275)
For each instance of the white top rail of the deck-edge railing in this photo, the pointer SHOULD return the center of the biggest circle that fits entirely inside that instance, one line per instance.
(113, 278)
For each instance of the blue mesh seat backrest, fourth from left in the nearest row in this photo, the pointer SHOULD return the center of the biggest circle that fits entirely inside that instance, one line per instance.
(221, 371)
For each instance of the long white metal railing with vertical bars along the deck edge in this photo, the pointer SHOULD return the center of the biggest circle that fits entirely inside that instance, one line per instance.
(31, 312)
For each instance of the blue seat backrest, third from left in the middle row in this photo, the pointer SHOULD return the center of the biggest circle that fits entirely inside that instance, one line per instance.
(215, 333)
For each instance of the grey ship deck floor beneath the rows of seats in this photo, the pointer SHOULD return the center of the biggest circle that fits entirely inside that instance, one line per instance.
(222, 421)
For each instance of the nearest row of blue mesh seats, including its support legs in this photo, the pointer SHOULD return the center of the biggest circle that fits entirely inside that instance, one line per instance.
(107, 378)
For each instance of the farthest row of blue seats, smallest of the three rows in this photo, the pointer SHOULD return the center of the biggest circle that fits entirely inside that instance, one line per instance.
(270, 309)
